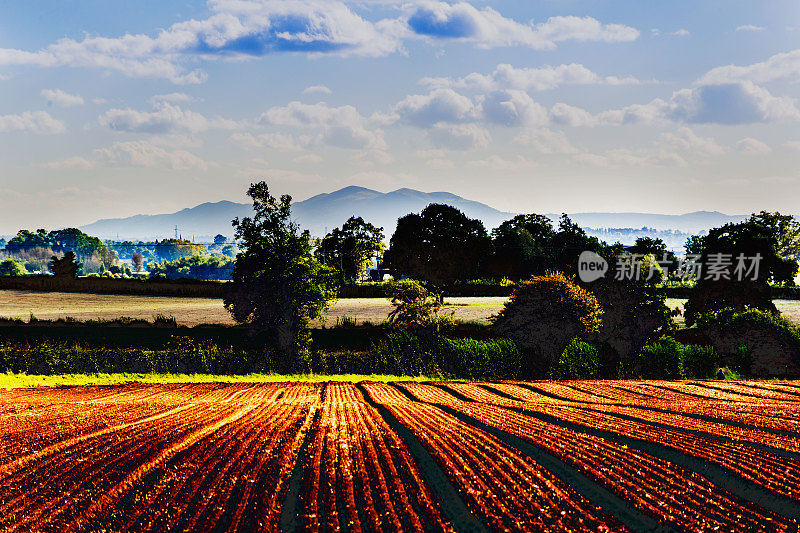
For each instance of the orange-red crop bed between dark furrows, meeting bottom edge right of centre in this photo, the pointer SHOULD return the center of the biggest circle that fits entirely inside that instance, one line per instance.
(504, 488)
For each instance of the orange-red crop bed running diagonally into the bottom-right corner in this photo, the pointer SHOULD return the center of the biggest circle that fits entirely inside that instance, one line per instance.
(676, 496)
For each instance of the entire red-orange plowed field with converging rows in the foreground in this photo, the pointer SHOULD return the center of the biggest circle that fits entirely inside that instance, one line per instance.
(405, 456)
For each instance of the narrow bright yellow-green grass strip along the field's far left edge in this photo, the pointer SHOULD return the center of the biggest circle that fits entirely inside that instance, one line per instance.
(13, 381)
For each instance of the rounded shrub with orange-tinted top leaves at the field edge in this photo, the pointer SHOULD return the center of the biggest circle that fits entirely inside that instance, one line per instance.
(543, 315)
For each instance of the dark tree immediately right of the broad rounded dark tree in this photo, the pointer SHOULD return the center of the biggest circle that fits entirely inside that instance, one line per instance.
(522, 247)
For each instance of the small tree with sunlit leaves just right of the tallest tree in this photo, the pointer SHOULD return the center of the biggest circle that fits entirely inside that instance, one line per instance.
(350, 249)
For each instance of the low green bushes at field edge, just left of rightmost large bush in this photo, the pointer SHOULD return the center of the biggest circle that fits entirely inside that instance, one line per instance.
(669, 359)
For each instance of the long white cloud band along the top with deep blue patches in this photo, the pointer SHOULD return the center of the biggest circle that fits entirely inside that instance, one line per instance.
(247, 29)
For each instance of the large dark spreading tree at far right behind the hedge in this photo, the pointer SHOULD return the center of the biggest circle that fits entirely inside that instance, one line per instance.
(723, 287)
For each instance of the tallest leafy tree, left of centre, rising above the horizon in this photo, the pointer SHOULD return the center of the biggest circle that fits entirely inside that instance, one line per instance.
(278, 285)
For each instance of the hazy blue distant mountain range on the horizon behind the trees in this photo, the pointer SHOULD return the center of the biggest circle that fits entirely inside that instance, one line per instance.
(323, 212)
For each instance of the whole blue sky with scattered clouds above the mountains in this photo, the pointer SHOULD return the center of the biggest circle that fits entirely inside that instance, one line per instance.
(113, 108)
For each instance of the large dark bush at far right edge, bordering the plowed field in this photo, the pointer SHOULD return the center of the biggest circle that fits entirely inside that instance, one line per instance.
(754, 342)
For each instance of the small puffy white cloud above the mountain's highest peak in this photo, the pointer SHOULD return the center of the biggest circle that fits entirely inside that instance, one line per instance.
(342, 127)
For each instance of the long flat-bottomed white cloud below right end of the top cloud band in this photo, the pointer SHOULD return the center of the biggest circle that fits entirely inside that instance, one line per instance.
(526, 79)
